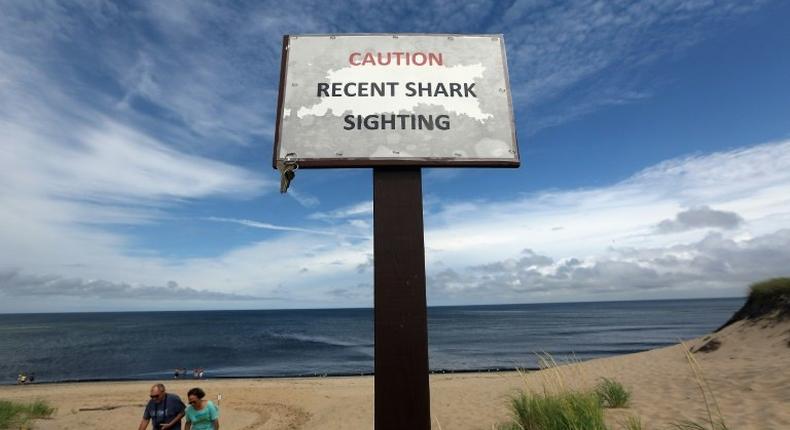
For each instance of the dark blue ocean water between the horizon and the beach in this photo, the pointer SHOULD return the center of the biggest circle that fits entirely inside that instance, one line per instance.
(276, 343)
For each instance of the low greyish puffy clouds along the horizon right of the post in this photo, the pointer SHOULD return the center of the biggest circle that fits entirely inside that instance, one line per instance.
(713, 266)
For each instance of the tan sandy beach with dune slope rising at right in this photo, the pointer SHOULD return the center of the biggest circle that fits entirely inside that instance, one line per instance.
(747, 374)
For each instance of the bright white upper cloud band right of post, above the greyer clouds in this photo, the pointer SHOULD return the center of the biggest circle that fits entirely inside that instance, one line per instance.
(750, 182)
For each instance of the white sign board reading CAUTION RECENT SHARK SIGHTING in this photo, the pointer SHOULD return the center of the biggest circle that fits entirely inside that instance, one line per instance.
(377, 100)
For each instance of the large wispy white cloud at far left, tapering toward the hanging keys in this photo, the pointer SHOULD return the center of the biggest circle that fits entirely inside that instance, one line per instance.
(74, 170)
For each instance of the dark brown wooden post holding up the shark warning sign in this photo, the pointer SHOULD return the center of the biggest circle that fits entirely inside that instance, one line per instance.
(402, 397)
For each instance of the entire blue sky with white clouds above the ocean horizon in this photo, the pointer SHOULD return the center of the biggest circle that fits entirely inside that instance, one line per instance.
(137, 138)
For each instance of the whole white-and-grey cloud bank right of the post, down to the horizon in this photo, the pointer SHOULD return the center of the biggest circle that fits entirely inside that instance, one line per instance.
(609, 246)
